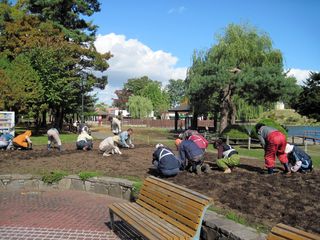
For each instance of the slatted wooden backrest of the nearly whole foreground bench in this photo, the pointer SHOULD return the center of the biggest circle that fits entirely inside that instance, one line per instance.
(179, 206)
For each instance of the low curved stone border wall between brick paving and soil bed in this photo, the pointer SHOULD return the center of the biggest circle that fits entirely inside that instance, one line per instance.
(215, 226)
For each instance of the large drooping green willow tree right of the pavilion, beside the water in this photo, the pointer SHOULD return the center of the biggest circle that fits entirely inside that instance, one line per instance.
(243, 63)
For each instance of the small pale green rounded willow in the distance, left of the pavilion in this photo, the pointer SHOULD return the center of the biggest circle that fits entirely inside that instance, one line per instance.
(139, 107)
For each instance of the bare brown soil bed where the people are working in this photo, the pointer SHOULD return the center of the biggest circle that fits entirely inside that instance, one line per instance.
(247, 191)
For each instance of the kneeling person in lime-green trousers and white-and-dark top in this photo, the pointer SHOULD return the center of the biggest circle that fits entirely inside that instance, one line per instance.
(228, 157)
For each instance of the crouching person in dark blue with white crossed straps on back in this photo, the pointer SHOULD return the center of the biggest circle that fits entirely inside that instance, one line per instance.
(165, 161)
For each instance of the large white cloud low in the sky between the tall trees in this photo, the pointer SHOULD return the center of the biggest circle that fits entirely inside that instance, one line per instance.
(133, 59)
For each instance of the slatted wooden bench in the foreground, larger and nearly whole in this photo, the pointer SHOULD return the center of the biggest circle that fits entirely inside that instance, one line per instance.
(164, 210)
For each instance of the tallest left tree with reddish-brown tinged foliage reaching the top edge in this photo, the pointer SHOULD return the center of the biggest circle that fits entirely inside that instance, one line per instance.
(59, 44)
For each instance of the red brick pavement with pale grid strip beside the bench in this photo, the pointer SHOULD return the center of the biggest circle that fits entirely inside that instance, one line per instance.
(55, 215)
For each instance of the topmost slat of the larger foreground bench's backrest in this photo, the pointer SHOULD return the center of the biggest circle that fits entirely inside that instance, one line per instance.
(198, 197)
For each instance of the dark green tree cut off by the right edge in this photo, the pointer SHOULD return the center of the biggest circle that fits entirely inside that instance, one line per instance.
(308, 101)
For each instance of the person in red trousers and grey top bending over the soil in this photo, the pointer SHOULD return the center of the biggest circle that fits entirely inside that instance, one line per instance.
(274, 143)
